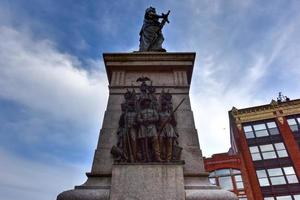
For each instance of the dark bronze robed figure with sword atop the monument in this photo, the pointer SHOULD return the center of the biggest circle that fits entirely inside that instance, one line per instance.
(151, 37)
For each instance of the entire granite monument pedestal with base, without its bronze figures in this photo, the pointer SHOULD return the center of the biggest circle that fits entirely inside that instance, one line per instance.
(170, 72)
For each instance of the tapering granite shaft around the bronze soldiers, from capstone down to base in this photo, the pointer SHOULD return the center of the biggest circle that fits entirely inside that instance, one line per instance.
(168, 71)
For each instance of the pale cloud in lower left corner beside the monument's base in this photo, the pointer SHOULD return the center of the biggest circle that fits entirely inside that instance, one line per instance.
(36, 181)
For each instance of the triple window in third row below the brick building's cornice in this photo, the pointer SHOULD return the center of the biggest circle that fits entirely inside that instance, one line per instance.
(276, 176)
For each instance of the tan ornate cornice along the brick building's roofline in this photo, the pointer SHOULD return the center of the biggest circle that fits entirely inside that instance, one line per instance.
(272, 110)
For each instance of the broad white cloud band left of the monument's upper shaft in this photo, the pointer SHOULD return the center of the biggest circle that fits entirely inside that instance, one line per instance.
(35, 74)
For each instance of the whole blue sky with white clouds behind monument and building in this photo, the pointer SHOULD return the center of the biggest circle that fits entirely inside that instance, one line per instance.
(53, 87)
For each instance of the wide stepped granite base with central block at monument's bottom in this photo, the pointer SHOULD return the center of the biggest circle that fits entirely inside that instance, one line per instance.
(151, 181)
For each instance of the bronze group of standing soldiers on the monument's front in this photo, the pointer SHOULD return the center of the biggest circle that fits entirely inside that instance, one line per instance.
(147, 129)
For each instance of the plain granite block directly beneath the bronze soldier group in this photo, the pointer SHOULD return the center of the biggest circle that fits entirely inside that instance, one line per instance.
(147, 182)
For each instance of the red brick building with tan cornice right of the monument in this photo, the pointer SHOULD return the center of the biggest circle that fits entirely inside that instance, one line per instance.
(265, 143)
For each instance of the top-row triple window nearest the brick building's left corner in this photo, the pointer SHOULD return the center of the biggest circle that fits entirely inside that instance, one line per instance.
(261, 130)
